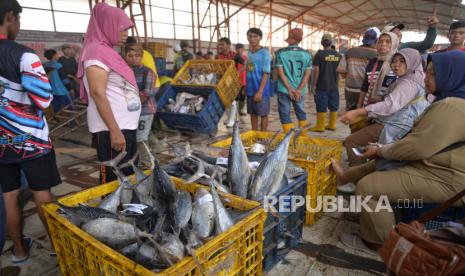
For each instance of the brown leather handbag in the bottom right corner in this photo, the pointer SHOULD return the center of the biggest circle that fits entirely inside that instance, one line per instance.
(410, 250)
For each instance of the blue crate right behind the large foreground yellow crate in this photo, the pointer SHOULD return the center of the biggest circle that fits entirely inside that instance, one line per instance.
(283, 230)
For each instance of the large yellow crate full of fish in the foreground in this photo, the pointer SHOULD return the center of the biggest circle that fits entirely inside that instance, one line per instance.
(238, 251)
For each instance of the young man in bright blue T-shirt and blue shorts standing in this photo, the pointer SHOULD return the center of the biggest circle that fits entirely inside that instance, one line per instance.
(258, 80)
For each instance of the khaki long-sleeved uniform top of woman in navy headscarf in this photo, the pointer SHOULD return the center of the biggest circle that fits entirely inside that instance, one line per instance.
(440, 126)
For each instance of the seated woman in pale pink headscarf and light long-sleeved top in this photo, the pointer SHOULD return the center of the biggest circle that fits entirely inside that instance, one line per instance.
(395, 114)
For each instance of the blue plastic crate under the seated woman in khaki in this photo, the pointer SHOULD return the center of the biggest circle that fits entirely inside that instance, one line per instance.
(412, 213)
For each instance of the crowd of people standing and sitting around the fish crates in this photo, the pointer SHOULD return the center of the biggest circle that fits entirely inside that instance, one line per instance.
(404, 108)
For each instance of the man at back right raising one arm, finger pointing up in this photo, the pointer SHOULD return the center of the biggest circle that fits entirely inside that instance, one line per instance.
(421, 46)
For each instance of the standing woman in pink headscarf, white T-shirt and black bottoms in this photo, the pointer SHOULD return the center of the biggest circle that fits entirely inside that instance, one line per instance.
(110, 86)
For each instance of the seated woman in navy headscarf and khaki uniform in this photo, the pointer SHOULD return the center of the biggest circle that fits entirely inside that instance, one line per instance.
(435, 148)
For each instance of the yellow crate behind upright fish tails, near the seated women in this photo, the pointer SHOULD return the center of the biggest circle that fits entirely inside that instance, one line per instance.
(312, 154)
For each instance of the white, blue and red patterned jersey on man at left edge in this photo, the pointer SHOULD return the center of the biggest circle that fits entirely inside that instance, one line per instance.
(25, 93)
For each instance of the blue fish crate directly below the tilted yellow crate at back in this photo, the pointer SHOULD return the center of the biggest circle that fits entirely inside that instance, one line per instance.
(206, 121)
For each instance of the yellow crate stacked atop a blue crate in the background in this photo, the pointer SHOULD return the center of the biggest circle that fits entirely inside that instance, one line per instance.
(228, 85)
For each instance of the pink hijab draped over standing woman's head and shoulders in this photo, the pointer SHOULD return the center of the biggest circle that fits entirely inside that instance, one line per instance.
(103, 33)
